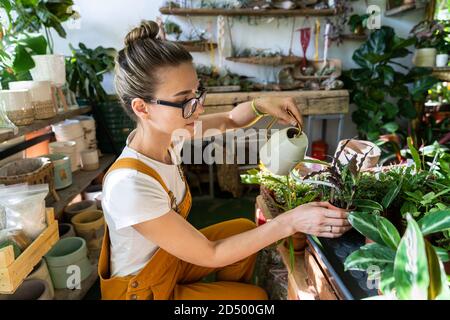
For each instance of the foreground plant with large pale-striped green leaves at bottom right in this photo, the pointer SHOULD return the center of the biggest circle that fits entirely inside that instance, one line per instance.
(409, 266)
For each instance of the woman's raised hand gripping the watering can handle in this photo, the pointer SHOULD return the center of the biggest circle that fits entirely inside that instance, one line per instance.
(282, 108)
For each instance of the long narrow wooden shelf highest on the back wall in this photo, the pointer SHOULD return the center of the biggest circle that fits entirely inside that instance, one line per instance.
(248, 12)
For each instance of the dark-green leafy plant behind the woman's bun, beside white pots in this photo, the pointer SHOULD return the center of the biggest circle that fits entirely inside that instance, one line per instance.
(85, 70)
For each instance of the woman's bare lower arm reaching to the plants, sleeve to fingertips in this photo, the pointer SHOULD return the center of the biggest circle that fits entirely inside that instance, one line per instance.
(175, 235)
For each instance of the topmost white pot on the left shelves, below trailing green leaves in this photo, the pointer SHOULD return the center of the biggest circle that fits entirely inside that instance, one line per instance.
(49, 67)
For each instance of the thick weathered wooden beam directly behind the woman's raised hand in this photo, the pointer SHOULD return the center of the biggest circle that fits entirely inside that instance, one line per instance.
(309, 102)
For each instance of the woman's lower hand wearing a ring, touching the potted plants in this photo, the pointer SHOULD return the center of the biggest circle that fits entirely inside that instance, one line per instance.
(320, 219)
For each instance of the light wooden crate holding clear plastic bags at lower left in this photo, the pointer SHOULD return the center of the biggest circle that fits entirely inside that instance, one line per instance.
(14, 271)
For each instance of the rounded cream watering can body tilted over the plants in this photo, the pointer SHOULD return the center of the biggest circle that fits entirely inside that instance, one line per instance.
(284, 151)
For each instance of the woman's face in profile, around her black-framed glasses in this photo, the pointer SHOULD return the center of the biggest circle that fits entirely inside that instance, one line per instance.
(176, 84)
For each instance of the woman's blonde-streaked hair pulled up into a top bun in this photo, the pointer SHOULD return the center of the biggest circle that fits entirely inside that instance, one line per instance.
(138, 63)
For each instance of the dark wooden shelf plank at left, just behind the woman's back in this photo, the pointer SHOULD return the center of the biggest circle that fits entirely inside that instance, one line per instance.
(81, 180)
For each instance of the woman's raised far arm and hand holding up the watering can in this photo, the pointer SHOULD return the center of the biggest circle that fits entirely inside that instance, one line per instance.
(243, 116)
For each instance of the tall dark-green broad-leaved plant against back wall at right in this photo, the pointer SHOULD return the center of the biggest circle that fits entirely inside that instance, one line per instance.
(384, 96)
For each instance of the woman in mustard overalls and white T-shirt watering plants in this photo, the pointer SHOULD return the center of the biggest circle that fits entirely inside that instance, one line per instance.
(150, 251)
